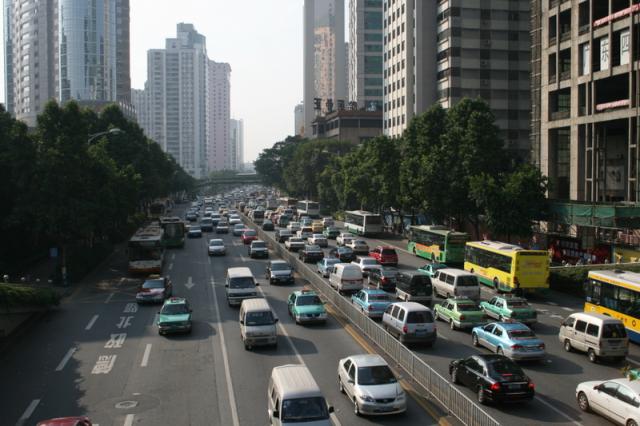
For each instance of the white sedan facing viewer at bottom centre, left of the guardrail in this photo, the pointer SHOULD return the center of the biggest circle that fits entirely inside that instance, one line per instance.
(369, 382)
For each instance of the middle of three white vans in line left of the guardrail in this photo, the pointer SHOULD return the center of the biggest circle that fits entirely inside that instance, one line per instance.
(258, 324)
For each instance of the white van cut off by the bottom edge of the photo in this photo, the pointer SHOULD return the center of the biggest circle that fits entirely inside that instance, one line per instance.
(294, 398)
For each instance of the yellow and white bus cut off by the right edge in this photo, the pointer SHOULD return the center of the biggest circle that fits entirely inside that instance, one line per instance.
(615, 293)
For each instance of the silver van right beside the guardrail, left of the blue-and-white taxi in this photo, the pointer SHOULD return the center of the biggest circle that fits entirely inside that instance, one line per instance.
(410, 322)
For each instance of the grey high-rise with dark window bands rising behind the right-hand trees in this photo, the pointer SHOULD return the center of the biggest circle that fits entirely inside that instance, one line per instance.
(463, 49)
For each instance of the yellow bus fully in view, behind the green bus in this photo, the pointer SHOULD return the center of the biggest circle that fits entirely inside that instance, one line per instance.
(507, 267)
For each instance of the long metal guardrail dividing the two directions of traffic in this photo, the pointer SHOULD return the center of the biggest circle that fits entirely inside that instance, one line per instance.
(438, 387)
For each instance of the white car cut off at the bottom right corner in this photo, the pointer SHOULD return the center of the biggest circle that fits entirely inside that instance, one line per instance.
(617, 399)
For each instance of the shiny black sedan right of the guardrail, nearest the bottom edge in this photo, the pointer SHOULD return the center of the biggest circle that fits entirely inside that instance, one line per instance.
(495, 378)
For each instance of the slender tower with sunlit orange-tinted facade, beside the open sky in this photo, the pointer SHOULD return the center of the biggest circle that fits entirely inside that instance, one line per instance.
(324, 55)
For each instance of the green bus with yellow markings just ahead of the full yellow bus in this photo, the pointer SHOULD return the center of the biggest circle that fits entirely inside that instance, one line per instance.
(437, 243)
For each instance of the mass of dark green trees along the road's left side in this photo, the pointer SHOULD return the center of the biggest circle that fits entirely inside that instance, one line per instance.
(60, 190)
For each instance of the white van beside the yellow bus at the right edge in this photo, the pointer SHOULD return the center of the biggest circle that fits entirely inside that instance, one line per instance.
(600, 336)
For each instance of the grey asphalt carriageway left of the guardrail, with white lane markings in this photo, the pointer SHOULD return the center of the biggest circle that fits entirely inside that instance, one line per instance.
(100, 355)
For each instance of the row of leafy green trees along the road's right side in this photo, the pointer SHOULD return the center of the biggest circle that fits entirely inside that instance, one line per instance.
(450, 164)
